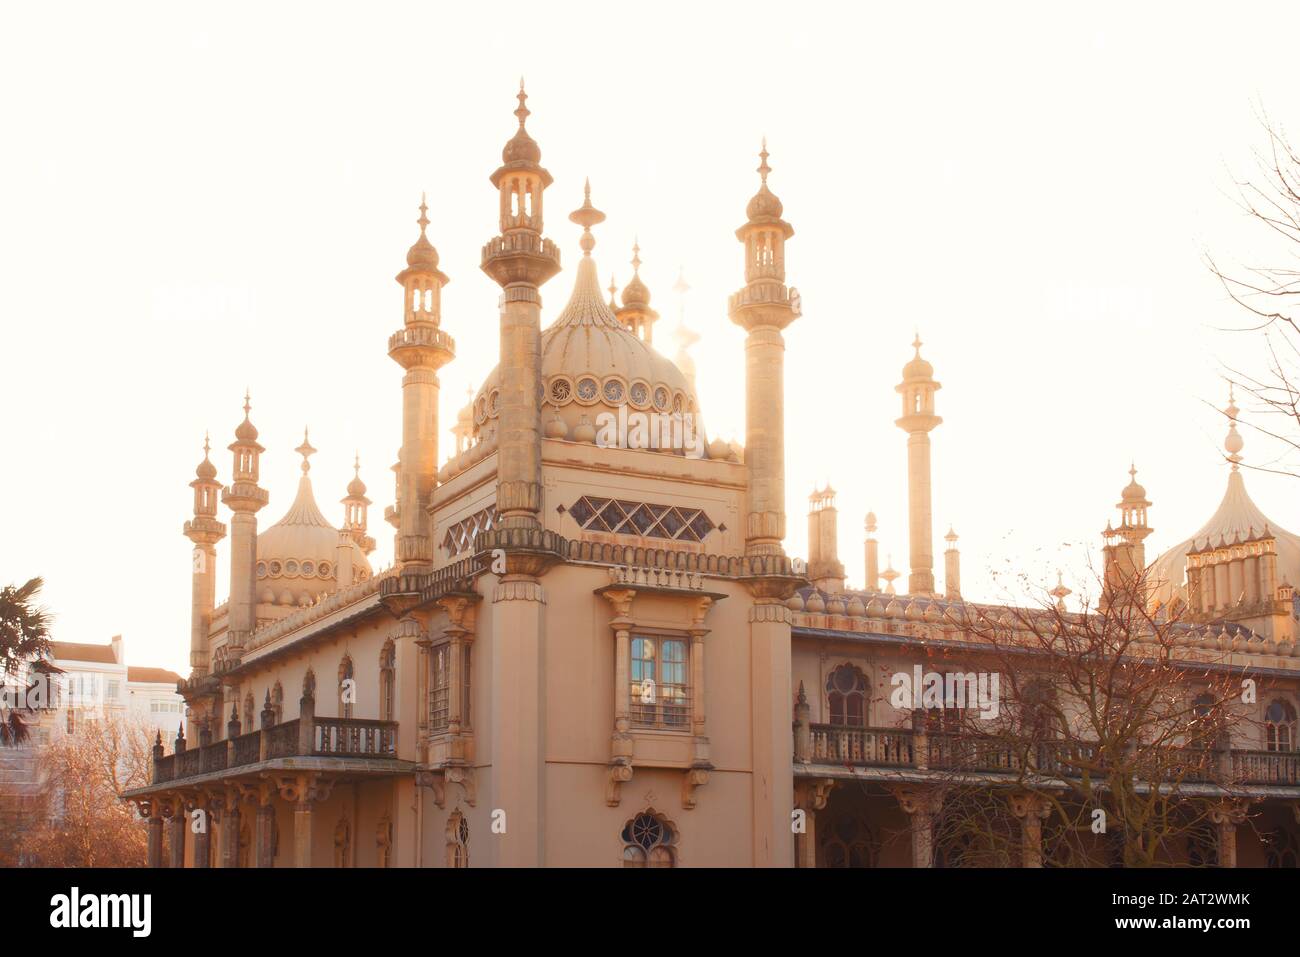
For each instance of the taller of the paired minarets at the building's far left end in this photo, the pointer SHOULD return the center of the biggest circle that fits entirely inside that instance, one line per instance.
(245, 499)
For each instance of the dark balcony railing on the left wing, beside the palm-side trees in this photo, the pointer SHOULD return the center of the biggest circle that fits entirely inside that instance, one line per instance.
(340, 738)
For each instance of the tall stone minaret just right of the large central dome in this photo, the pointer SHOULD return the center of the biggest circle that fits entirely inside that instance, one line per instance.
(764, 309)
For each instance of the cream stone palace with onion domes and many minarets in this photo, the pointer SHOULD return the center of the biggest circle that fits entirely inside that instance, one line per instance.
(599, 653)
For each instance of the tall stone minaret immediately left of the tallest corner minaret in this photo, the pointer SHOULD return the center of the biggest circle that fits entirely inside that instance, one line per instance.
(421, 348)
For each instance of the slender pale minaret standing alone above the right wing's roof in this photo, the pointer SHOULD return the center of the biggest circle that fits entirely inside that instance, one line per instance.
(918, 418)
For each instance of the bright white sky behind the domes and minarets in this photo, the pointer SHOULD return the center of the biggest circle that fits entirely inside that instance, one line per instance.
(198, 200)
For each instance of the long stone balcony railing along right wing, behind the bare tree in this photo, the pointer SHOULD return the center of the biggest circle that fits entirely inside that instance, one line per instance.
(860, 747)
